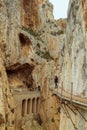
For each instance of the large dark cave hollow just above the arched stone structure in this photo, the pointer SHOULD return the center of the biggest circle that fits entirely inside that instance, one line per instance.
(20, 76)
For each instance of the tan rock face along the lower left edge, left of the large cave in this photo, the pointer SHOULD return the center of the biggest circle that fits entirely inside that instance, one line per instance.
(7, 103)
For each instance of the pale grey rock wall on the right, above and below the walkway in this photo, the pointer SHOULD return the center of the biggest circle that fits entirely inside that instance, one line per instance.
(74, 70)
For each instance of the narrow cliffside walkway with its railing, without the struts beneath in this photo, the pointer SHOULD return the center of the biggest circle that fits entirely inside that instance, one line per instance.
(70, 96)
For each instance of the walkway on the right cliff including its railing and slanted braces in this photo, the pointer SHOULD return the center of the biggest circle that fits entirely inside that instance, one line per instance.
(71, 104)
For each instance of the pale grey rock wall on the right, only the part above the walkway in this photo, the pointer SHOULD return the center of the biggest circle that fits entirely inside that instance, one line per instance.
(75, 49)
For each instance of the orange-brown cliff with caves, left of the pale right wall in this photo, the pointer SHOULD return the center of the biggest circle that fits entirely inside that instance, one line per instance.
(31, 44)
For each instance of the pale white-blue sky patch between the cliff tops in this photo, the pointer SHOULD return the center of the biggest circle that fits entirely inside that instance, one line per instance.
(60, 8)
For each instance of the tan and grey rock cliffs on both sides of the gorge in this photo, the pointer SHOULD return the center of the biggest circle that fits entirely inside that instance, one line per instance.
(33, 49)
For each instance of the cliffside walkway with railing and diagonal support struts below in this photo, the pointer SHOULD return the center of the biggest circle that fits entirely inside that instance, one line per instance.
(69, 97)
